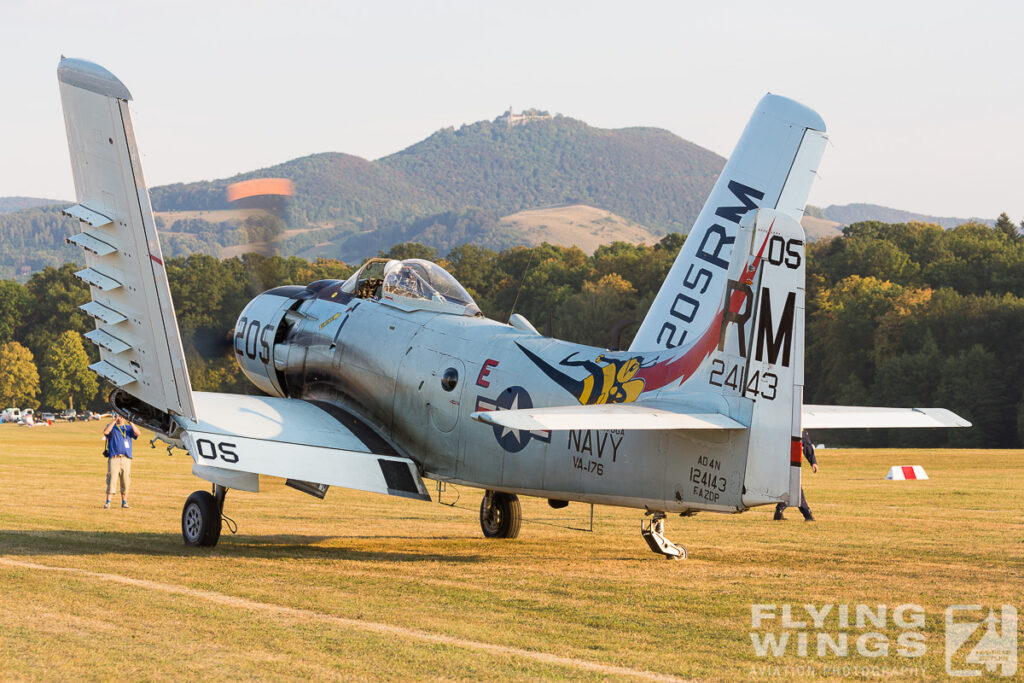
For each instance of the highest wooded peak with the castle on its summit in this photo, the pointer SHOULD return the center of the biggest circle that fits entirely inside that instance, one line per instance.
(646, 175)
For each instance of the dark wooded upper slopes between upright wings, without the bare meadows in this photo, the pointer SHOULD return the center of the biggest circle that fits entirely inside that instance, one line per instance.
(646, 175)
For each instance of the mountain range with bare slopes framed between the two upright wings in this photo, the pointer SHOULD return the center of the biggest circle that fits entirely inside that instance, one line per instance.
(456, 187)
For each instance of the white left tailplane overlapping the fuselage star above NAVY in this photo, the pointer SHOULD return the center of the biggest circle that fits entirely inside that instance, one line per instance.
(610, 416)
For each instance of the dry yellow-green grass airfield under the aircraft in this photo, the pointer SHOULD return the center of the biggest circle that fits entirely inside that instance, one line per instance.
(368, 587)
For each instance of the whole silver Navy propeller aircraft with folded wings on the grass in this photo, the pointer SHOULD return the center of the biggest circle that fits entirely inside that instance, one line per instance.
(395, 375)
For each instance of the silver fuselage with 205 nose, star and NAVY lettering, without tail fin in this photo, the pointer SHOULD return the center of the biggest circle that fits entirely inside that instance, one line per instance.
(416, 376)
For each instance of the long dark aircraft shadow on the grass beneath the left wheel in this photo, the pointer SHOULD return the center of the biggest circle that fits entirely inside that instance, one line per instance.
(74, 543)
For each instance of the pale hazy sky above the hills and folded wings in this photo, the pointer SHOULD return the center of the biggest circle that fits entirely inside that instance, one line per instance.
(923, 101)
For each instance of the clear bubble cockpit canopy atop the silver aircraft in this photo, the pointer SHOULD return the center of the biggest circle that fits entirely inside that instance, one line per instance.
(412, 284)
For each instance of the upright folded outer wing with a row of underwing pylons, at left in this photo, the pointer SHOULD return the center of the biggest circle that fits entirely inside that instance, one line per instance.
(137, 330)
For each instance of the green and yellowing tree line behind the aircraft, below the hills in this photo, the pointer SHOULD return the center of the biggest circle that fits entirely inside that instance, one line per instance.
(898, 315)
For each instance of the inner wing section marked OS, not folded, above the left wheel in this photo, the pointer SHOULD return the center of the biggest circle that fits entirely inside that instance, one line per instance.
(294, 440)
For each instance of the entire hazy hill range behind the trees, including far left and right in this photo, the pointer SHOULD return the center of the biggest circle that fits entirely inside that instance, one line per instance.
(491, 184)
